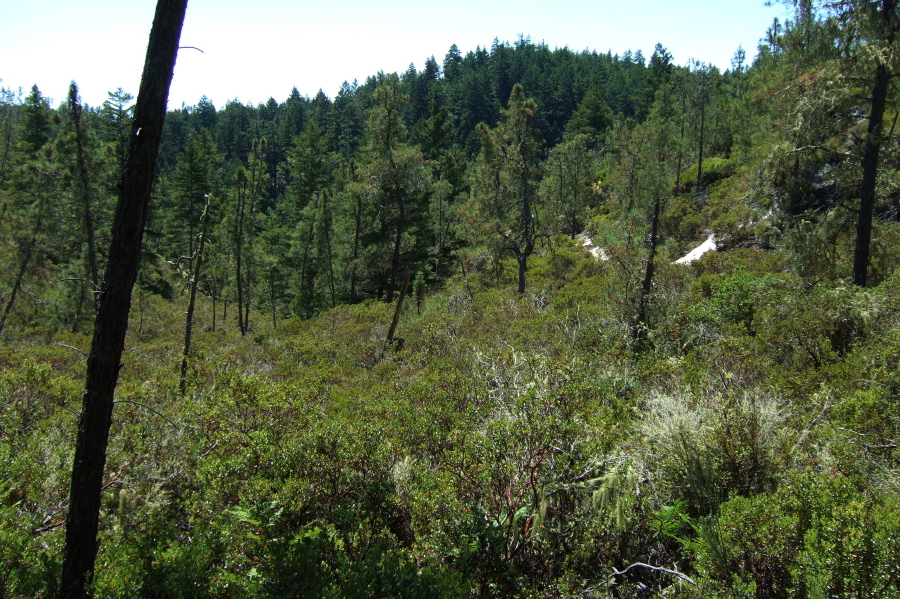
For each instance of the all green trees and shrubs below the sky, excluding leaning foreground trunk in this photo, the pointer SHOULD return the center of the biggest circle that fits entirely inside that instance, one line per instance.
(432, 337)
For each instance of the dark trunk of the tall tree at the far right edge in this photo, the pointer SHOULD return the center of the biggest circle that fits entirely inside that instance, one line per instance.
(870, 157)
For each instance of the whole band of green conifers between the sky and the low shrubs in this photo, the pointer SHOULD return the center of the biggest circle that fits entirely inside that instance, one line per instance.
(329, 201)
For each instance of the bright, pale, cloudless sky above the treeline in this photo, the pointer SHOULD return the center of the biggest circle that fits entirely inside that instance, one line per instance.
(261, 49)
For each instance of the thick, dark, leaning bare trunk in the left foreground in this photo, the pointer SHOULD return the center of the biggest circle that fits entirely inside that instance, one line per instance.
(111, 321)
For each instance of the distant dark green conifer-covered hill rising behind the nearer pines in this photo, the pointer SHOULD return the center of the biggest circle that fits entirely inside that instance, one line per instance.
(472, 88)
